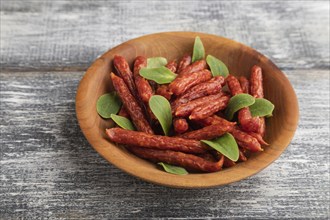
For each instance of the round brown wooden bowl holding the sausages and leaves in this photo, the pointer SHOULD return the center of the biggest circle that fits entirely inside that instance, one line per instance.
(173, 45)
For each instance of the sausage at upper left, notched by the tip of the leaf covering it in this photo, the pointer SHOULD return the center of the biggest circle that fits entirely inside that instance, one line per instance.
(143, 87)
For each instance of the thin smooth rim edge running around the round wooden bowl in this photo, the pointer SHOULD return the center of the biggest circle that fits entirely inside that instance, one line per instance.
(188, 184)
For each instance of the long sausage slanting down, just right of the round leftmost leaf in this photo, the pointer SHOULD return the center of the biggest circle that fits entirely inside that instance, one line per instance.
(131, 105)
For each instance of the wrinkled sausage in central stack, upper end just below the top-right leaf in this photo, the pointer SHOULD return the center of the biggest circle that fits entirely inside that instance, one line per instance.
(209, 87)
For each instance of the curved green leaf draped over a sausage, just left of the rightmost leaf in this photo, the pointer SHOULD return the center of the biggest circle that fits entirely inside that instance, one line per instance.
(237, 102)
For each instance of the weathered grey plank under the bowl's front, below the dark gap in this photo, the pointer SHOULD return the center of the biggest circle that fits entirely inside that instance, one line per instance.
(49, 170)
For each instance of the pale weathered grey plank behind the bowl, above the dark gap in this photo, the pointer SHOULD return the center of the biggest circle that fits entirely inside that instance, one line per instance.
(71, 34)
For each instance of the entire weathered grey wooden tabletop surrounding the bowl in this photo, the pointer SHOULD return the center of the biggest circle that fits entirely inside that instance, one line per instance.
(48, 170)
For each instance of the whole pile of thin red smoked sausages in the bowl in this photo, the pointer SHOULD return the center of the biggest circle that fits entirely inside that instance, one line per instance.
(197, 101)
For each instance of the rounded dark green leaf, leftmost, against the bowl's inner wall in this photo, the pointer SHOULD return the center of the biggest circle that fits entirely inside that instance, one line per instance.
(108, 104)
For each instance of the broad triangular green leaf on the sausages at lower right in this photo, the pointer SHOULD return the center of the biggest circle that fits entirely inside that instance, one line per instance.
(226, 145)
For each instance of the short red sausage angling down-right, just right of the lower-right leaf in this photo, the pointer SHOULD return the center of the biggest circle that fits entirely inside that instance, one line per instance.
(246, 141)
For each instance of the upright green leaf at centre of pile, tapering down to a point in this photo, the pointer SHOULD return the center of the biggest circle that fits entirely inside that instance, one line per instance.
(162, 110)
